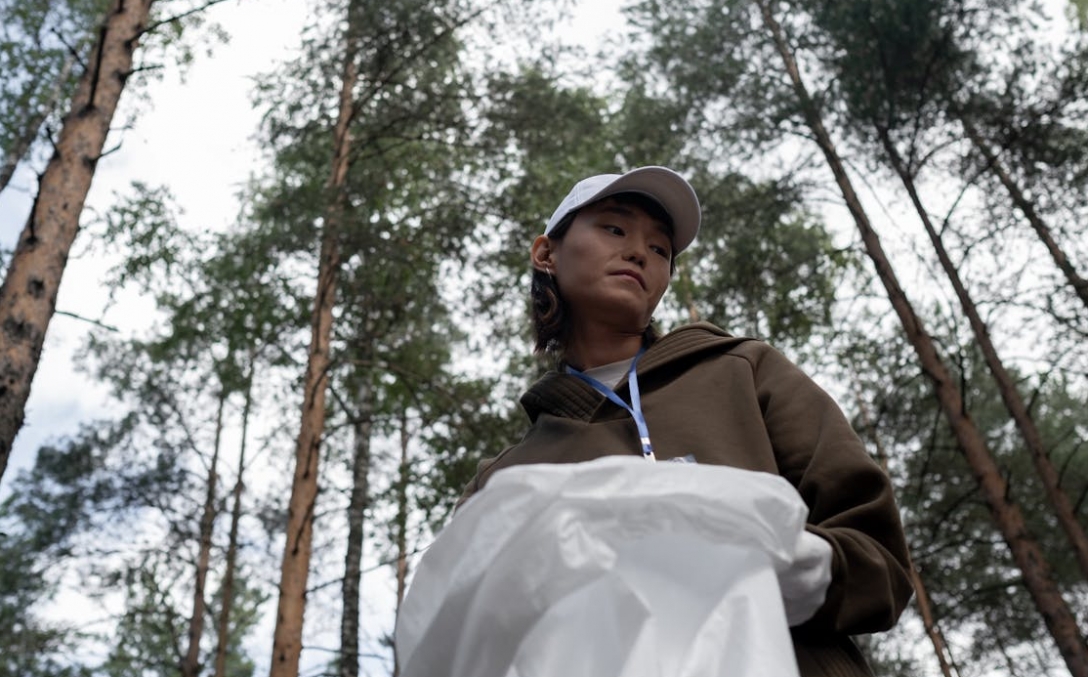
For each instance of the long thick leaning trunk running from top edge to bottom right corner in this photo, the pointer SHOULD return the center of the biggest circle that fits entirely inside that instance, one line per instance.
(1007, 515)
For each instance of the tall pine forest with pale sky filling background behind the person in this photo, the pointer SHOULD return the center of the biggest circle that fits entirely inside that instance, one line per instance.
(894, 196)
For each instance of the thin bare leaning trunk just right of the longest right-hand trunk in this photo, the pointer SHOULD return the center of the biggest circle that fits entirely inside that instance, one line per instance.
(1018, 409)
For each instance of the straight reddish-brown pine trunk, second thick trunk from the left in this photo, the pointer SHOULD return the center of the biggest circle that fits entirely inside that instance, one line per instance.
(288, 639)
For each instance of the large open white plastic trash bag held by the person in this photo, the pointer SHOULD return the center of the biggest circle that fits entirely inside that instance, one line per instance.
(612, 569)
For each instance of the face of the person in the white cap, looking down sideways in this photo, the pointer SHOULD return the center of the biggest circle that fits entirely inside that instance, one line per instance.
(613, 265)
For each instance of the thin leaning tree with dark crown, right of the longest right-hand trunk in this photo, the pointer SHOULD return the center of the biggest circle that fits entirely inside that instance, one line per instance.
(904, 66)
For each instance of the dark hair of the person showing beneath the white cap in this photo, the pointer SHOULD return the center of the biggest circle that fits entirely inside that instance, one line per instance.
(550, 313)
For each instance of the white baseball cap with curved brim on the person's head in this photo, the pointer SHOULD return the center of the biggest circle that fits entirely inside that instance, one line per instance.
(667, 188)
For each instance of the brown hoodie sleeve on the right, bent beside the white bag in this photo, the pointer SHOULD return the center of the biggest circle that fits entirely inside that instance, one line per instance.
(849, 496)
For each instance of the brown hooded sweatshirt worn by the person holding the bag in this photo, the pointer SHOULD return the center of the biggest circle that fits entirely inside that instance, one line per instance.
(738, 402)
